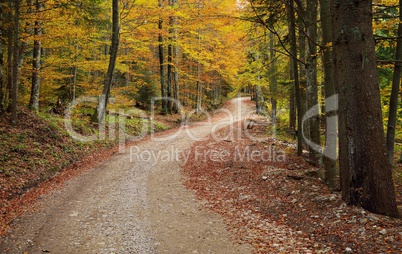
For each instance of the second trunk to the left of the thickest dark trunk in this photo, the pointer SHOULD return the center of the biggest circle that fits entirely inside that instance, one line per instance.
(311, 77)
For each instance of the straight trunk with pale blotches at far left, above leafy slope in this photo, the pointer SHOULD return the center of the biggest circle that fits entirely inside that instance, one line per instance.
(34, 100)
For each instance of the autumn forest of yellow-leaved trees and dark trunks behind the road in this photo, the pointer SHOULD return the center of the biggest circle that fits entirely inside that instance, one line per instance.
(325, 73)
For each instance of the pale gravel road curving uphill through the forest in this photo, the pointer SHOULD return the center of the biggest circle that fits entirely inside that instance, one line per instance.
(131, 204)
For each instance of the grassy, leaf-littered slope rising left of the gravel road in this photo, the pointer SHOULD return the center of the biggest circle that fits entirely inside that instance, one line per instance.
(39, 147)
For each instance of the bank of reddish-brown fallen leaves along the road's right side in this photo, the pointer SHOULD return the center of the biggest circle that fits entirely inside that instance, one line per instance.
(279, 204)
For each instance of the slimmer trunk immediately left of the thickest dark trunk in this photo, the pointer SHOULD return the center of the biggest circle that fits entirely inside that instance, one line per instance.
(331, 129)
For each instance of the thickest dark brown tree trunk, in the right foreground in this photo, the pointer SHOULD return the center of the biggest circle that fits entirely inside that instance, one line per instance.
(366, 176)
